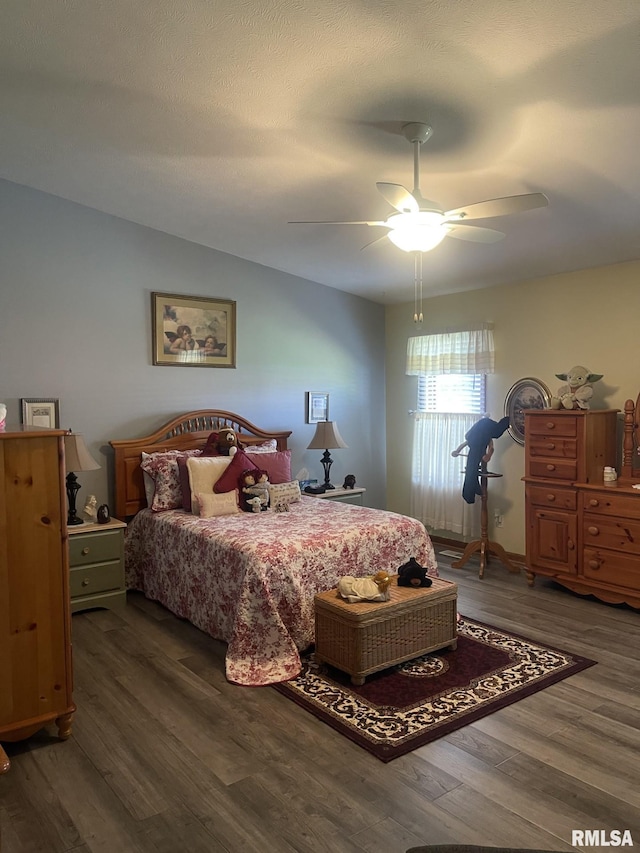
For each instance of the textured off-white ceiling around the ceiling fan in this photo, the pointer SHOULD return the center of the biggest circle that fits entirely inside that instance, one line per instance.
(220, 120)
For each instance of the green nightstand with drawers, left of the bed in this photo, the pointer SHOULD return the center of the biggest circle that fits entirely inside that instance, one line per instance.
(96, 562)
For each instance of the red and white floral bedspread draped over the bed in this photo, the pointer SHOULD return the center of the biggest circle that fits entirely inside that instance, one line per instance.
(250, 579)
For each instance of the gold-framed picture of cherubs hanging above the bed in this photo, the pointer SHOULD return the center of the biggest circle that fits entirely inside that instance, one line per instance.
(193, 331)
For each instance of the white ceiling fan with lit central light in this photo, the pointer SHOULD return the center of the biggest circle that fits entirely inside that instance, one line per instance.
(419, 225)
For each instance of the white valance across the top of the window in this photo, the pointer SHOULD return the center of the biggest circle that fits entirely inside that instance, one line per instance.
(467, 352)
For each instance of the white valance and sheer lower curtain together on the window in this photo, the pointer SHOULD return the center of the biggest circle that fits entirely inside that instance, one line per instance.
(436, 476)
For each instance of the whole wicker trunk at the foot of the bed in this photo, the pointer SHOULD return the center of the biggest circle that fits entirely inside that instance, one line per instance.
(368, 636)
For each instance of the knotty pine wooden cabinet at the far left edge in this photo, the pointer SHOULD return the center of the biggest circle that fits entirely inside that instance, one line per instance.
(36, 677)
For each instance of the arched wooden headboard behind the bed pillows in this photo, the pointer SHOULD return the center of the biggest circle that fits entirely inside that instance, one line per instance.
(182, 433)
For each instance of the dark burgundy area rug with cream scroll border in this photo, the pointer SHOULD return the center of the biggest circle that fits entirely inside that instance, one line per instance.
(399, 709)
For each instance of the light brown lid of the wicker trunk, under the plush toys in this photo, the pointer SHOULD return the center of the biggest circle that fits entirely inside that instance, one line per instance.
(402, 598)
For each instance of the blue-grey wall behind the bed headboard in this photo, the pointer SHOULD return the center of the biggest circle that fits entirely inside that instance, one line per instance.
(75, 324)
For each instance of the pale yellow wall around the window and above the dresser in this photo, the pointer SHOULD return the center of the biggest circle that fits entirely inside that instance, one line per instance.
(541, 327)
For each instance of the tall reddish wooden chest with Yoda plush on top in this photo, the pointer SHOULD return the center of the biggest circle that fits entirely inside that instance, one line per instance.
(565, 455)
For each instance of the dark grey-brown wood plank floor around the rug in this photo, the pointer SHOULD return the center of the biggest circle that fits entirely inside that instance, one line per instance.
(167, 756)
